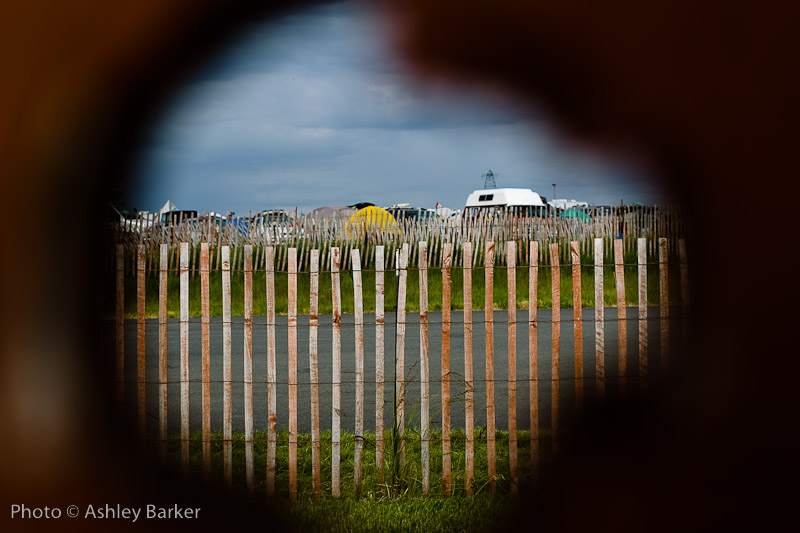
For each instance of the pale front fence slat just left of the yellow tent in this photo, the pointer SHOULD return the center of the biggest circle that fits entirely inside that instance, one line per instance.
(337, 373)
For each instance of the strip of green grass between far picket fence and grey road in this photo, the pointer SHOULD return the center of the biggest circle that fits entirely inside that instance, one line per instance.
(500, 294)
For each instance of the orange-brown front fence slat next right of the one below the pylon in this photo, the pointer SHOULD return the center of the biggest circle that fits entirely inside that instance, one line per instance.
(511, 263)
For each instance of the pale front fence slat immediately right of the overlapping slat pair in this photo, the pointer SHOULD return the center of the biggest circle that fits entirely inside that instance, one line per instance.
(425, 367)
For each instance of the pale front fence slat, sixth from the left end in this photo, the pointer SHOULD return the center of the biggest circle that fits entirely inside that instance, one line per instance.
(227, 398)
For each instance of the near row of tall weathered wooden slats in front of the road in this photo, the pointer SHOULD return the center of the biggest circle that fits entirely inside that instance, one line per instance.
(380, 355)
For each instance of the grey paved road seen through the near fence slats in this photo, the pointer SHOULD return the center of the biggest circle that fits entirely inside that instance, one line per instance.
(567, 389)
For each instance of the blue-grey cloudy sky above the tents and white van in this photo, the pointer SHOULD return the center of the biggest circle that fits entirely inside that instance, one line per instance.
(314, 109)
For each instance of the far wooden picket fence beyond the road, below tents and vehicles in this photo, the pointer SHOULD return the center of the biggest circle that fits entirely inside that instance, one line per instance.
(305, 233)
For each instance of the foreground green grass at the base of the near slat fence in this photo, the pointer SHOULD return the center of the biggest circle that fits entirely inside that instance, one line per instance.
(378, 509)
